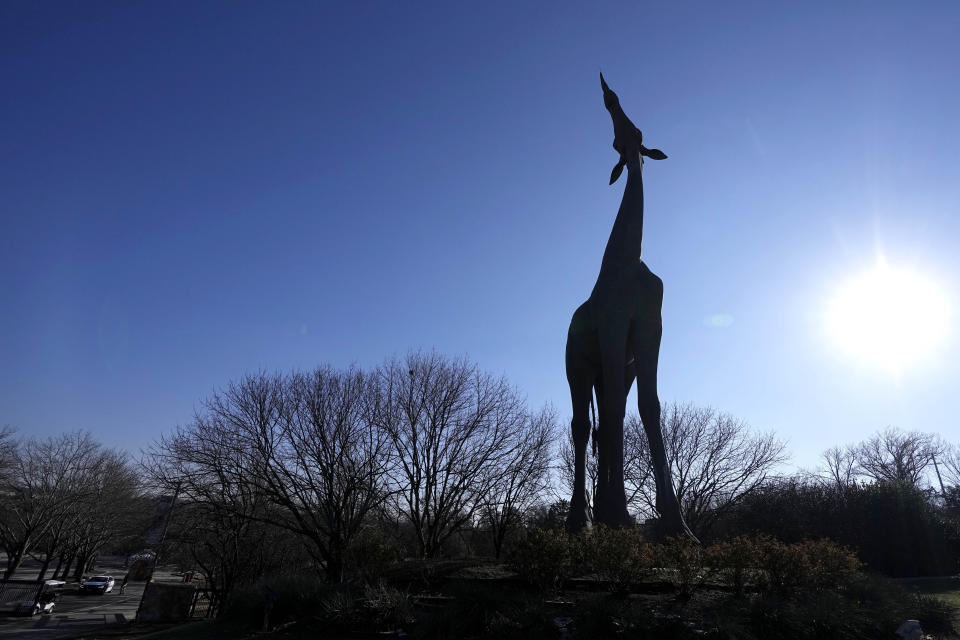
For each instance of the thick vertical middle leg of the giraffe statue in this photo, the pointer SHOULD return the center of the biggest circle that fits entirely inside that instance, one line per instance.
(610, 508)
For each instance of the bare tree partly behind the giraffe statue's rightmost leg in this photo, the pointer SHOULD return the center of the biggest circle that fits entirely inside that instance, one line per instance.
(715, 461)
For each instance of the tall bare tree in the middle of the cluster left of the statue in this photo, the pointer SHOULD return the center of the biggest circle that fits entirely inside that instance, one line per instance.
(449, 426)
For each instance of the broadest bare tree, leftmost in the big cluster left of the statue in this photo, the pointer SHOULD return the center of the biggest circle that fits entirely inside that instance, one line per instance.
(304, 443)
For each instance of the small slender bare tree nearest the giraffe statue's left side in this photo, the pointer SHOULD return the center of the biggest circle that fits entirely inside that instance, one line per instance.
(519, 484)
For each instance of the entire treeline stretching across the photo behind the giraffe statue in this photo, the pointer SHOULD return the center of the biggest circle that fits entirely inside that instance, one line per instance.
(345, 472)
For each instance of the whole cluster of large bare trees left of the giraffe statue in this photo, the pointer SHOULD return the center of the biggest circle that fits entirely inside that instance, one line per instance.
(420, 448)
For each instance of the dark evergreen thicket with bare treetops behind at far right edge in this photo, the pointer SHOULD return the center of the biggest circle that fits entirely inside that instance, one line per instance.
(875, 497)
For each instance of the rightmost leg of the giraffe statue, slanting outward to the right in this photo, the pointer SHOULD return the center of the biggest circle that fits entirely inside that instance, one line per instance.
(645, 342)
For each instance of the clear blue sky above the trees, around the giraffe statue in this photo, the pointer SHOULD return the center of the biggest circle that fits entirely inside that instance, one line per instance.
(191, 191)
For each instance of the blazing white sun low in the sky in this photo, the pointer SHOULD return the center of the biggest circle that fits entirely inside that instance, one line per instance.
(888, 317)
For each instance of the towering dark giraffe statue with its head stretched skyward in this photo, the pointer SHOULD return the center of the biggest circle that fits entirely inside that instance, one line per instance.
(614, 338)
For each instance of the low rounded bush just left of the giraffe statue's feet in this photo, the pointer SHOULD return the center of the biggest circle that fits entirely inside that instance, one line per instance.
(546, 559)
